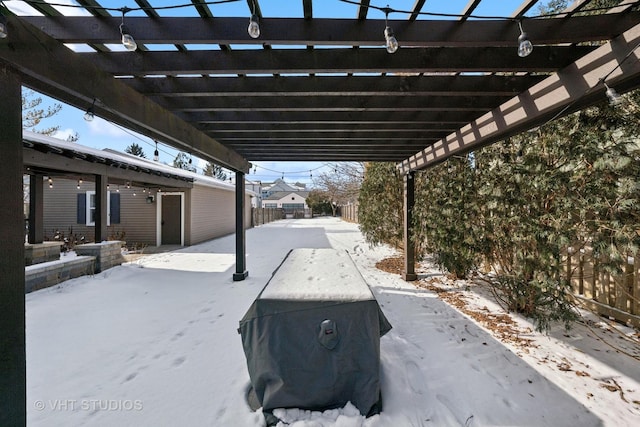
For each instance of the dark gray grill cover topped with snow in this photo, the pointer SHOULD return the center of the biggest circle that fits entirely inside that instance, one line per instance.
(312, 336)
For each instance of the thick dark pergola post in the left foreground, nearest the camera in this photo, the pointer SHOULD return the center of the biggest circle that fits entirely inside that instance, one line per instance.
(13, 375)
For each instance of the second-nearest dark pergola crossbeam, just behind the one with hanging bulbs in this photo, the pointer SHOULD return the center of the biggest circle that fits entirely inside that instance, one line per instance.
(292, 61)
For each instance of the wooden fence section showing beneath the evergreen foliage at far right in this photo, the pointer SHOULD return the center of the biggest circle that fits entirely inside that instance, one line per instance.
(615, 296)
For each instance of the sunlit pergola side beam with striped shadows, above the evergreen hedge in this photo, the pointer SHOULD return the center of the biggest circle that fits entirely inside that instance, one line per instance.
(574, 87)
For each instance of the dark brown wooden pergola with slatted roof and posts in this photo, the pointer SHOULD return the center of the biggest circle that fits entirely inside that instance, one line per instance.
(307, 89)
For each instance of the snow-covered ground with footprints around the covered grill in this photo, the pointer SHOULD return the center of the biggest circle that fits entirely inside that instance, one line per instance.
(155, 343)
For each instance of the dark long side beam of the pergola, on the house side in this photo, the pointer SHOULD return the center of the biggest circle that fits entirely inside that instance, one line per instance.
(53, 69)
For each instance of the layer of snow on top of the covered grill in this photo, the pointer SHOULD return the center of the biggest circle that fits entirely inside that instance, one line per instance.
(317, 274)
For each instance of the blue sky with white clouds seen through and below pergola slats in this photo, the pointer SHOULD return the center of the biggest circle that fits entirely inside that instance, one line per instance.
(103, 134)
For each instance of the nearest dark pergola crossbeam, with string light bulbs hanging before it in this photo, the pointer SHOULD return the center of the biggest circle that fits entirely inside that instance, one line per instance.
(334, 32)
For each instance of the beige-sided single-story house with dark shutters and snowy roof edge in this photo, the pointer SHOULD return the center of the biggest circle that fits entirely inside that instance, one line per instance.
(189, 208)
